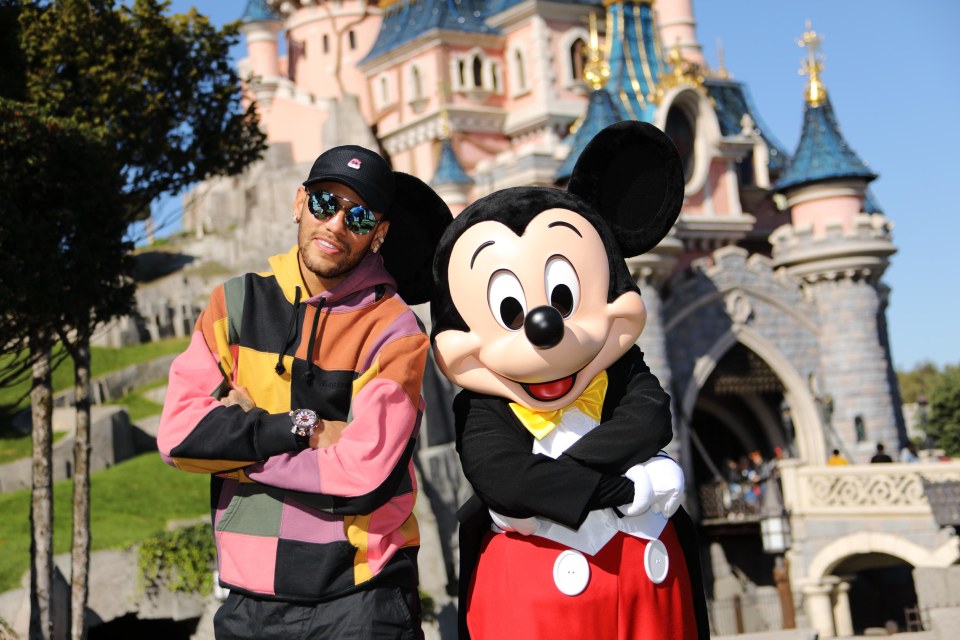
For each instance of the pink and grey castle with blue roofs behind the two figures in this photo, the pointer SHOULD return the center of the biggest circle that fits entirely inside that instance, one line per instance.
(766, 302)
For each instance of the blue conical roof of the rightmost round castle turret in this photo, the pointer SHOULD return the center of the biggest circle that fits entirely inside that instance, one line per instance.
(822, 154)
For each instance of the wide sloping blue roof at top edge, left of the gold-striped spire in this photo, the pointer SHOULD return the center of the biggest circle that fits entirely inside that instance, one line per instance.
(407, 20)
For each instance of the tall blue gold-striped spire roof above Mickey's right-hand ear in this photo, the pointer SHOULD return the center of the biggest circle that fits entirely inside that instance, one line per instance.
(635, 63)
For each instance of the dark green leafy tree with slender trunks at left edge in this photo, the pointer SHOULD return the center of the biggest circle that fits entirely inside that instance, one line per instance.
(159, 94)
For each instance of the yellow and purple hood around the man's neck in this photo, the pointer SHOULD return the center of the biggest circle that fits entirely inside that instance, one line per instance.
(369, 272)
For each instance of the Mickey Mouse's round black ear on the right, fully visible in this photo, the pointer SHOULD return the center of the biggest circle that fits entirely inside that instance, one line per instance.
(632, 174)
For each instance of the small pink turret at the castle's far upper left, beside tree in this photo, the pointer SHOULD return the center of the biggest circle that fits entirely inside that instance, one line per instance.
(260, 26)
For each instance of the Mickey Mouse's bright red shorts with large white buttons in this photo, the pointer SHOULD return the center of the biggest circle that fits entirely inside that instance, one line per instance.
(513, 593)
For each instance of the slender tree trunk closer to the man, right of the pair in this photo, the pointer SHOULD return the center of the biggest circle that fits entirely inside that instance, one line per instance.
(80, 556)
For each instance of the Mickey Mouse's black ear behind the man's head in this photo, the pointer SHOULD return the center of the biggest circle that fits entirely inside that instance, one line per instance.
(418, 217)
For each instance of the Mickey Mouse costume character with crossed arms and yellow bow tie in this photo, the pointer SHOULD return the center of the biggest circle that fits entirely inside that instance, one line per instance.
(575, 529)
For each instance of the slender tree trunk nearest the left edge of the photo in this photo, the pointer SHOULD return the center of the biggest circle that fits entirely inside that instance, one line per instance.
(41, 502)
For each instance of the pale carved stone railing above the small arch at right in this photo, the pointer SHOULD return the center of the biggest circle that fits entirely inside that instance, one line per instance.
(896, 489)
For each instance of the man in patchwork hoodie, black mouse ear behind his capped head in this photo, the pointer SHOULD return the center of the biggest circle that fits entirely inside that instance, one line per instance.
(300, 395)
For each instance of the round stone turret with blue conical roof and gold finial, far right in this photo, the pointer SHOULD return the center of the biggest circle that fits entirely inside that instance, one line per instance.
(839, 251)
